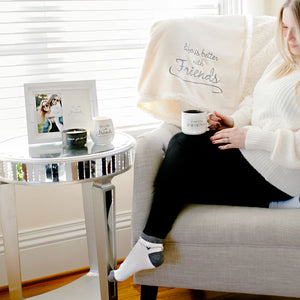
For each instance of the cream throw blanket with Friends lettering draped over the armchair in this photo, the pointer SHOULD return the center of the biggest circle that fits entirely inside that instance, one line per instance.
(209, 63)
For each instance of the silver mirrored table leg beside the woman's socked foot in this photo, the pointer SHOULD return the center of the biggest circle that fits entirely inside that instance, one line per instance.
(104, 225)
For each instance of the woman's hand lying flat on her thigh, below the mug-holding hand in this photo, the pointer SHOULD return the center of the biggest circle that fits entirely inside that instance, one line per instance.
(230, 138)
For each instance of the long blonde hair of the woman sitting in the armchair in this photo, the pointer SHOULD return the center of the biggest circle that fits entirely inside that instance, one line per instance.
(291, 62)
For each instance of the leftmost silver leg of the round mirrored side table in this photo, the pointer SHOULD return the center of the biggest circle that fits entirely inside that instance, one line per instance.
(10, 238)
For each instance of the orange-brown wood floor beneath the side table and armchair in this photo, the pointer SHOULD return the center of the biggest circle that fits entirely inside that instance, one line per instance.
(127, 290)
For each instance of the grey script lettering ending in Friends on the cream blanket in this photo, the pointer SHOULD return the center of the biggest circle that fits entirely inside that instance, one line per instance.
(197, 67)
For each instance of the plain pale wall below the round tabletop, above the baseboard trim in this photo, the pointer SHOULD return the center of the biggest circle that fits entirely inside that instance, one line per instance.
(48, 205)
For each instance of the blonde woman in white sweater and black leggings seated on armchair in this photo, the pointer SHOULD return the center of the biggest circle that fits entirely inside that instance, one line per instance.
(251, 158)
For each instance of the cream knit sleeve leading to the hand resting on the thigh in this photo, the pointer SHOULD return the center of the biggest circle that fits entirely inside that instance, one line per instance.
(283, 145)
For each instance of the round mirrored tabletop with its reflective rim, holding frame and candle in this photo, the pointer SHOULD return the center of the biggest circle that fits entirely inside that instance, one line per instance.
(53, 163)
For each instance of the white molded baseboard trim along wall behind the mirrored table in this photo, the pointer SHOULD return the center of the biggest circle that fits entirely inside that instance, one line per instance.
(43, 251)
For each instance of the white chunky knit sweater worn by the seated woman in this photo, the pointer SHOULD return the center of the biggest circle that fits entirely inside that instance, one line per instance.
(272, 144)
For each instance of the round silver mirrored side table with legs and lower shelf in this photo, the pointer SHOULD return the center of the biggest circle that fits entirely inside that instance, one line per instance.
(51, 164)
